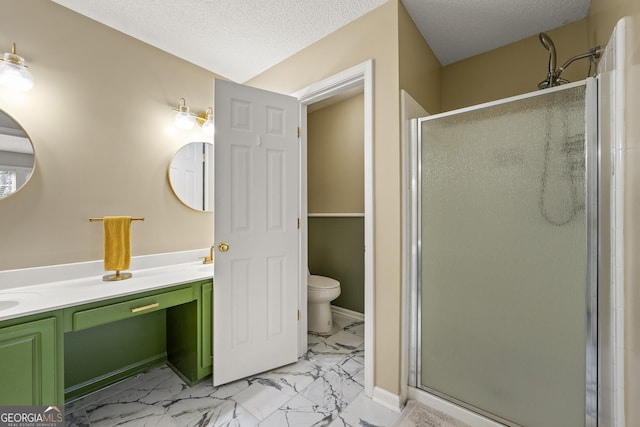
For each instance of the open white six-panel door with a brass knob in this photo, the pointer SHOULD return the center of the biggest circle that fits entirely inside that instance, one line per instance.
(256, 216)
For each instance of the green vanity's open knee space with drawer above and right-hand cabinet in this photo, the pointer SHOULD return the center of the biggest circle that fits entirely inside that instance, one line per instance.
(109, 340)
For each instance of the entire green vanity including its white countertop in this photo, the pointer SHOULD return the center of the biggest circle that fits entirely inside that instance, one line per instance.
(64, 339)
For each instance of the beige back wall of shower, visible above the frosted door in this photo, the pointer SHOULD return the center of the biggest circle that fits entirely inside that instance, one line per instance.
(513, 69)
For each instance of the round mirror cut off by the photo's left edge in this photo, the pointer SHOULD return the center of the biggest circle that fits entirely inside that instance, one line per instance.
(17, 159)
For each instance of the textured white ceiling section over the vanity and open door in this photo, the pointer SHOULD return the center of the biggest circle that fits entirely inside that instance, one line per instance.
(237, 39)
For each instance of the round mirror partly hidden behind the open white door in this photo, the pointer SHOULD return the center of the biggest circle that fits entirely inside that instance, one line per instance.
(191, 175)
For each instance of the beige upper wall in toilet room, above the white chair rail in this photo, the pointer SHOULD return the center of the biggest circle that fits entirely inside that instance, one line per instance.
(335, 158)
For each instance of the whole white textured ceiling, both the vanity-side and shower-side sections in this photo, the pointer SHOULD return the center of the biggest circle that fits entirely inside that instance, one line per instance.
(239, 39)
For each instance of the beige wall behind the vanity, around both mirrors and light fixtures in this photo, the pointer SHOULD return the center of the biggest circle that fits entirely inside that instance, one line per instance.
(97, 116)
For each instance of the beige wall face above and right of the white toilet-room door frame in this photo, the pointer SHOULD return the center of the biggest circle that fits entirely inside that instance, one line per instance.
(373, 36)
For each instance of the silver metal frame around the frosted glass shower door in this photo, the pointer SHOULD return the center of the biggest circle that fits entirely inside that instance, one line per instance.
(593, 180)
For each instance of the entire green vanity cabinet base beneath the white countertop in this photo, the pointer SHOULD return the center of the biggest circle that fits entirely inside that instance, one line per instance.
(66, 353)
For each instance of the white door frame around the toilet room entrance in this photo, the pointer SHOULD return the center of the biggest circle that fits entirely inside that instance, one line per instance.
(361, 74)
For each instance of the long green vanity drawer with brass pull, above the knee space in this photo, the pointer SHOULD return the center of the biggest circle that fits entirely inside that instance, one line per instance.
(110, 313)
